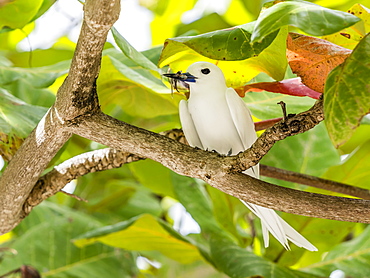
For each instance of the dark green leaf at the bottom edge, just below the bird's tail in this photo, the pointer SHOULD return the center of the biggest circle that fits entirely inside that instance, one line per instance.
(239, 262)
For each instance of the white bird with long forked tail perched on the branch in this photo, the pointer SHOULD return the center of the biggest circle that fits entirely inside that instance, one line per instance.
(215, 118)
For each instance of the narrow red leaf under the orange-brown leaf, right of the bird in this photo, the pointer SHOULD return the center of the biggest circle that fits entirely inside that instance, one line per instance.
(293, 87)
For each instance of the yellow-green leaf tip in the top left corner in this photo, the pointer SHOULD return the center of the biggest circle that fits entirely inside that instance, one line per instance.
(16, 14)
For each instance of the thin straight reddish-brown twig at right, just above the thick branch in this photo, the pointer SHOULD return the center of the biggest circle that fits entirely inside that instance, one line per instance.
(272, 172)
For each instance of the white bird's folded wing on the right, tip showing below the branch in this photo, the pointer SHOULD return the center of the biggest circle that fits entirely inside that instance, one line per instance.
(243, 122)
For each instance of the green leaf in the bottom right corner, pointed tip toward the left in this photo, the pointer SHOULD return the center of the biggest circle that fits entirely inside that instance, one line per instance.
(352, 257)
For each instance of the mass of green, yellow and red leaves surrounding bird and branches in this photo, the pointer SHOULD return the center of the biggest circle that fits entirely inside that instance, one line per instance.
(129, 211)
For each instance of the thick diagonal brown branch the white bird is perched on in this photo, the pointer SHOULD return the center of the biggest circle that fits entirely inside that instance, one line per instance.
(218, 171)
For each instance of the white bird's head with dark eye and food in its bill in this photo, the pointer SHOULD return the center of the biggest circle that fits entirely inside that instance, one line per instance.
(200, 76)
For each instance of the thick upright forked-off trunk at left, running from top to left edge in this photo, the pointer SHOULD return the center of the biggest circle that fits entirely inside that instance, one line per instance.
(77, 96)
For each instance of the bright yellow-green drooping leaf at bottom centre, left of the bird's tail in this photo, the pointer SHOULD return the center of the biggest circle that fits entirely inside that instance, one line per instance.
(142, 234)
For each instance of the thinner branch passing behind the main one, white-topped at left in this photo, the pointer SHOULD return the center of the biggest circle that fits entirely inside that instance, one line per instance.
(105, 159)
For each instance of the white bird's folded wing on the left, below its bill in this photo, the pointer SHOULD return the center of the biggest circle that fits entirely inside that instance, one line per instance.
(188, 126)
